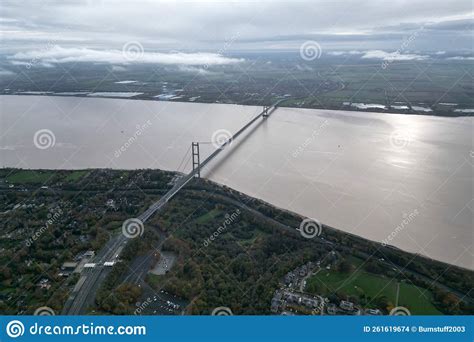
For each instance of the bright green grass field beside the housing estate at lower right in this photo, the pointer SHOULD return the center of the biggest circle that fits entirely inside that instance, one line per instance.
(369, 287)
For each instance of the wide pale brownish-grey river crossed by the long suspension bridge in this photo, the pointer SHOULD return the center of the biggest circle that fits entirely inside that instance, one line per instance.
(405, 179)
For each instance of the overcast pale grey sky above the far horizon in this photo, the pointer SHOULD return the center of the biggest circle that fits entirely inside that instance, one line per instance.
(184, 31)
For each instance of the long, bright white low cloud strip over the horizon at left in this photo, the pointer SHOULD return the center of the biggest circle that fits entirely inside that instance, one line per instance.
(57, 54)
